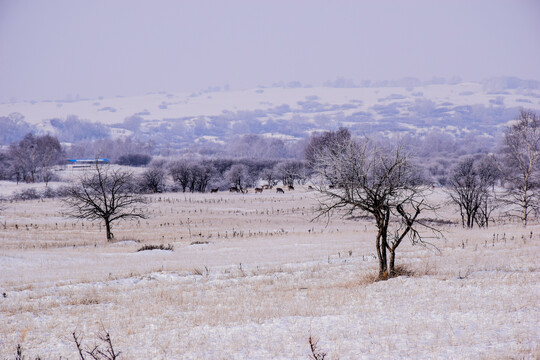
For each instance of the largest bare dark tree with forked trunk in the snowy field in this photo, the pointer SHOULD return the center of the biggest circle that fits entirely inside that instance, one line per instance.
(378, 181)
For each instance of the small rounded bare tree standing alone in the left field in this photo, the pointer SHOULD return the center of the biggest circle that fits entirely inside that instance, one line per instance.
(106, 195)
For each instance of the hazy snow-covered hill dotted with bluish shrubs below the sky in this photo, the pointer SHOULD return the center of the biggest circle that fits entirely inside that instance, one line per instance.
(289, 112)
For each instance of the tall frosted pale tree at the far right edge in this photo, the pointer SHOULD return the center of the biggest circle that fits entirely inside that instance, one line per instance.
(521, 159)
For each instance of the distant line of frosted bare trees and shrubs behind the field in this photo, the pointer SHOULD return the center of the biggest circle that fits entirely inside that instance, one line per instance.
(471, 169)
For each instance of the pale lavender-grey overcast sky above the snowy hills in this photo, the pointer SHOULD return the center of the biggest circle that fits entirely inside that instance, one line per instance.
(58, 48)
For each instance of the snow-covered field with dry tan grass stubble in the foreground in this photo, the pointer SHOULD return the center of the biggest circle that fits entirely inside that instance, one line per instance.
(251, 277)
